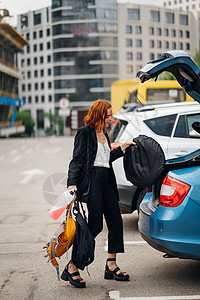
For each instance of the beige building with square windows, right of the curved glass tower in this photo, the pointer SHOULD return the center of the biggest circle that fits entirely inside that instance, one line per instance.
(142, 41)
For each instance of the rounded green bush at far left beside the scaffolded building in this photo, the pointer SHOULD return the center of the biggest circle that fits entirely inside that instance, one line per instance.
(27, 121)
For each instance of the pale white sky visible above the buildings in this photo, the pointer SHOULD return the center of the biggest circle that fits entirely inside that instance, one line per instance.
(17, 7)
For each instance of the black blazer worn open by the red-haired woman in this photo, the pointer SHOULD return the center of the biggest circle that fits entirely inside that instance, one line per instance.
(84, 154)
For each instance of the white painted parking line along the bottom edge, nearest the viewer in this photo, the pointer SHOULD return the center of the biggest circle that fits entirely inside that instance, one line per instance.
(115, 295)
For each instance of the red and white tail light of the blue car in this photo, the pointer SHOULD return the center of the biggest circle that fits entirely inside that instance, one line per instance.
(173, 192)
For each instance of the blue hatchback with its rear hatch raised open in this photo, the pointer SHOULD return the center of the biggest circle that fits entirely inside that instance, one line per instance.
(169, 218)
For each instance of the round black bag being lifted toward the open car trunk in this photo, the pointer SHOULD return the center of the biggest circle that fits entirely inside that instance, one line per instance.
(144, 162)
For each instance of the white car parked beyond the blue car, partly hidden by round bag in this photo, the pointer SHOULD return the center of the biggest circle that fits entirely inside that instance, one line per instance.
(169, 124)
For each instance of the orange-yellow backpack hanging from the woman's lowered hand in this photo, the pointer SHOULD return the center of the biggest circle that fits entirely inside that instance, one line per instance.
(62, 239)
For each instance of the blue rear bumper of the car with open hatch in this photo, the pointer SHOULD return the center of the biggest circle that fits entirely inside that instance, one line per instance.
(156, 229)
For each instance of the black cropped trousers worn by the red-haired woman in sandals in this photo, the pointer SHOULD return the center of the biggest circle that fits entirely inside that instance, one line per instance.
(103, 201)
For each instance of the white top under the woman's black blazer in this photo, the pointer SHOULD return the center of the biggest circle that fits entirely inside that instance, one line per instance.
(103, 155)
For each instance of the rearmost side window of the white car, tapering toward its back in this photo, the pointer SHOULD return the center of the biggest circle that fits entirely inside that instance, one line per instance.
(162, 125)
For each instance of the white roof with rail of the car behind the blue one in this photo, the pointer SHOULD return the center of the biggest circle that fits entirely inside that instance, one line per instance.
(157, 110)
